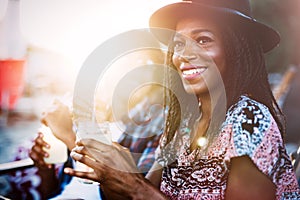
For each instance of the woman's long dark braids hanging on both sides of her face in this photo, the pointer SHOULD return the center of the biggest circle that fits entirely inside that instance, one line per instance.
(248, 75)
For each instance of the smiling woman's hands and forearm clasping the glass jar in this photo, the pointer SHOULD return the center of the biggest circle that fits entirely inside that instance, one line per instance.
(114, 168)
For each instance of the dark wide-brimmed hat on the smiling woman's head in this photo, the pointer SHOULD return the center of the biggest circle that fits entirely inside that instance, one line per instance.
(237, 10)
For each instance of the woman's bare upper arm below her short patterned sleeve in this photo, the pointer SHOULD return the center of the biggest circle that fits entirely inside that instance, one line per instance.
(246, 181)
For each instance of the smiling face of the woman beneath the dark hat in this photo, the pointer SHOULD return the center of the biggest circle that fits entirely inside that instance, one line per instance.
(196, 58)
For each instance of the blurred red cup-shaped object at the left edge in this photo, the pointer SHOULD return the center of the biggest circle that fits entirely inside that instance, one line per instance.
(11, 82)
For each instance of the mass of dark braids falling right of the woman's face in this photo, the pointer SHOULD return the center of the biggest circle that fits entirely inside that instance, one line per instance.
(245, 58)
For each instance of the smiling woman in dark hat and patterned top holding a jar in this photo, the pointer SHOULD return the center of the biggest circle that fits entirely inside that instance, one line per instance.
(243, 155)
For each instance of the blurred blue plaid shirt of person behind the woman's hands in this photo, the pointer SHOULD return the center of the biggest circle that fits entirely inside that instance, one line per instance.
(143, 130)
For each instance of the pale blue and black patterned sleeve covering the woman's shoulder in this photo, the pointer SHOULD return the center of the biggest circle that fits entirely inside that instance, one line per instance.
(251, 125)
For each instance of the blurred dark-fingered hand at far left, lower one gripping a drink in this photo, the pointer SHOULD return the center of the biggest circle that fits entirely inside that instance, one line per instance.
(37, 152)
